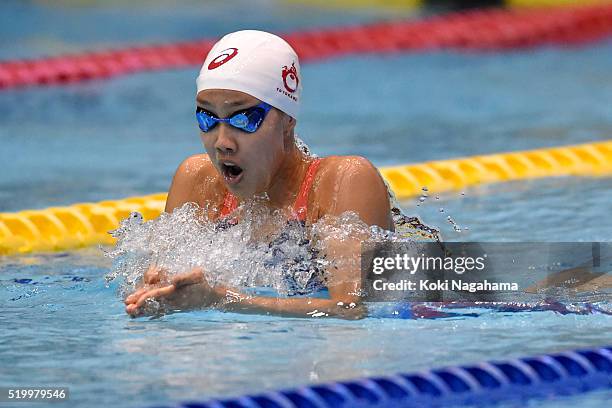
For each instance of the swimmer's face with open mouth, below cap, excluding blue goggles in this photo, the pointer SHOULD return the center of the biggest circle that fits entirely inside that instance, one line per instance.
(247, 162)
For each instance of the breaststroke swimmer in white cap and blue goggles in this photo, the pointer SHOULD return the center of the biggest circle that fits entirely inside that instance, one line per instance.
(248, 96)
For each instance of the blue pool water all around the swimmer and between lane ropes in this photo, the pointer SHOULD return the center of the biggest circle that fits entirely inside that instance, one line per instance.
(61, 324)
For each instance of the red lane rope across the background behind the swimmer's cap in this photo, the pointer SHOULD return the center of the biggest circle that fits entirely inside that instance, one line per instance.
(477, 30)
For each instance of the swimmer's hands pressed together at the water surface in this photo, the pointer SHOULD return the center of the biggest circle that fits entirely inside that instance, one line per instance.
(186, 291)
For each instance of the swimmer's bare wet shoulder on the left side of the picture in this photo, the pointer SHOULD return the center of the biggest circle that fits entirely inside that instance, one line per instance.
(195, 181)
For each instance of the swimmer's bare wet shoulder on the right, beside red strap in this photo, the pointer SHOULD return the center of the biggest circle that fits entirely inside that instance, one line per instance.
(352, 183)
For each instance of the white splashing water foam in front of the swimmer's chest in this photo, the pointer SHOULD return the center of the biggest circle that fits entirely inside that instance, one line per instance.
(262, 250)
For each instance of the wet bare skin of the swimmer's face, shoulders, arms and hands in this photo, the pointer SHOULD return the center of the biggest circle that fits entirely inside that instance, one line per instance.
(270, 163)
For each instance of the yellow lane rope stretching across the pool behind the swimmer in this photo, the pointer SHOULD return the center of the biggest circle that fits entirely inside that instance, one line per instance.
(80, 225)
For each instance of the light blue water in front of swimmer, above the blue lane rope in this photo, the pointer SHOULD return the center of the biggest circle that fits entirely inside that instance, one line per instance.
(61, 325)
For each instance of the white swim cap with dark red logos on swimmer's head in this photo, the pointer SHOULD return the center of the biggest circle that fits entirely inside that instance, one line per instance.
(258, 63)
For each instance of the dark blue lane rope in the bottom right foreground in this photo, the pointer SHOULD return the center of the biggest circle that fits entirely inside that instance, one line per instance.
(559, 374)
